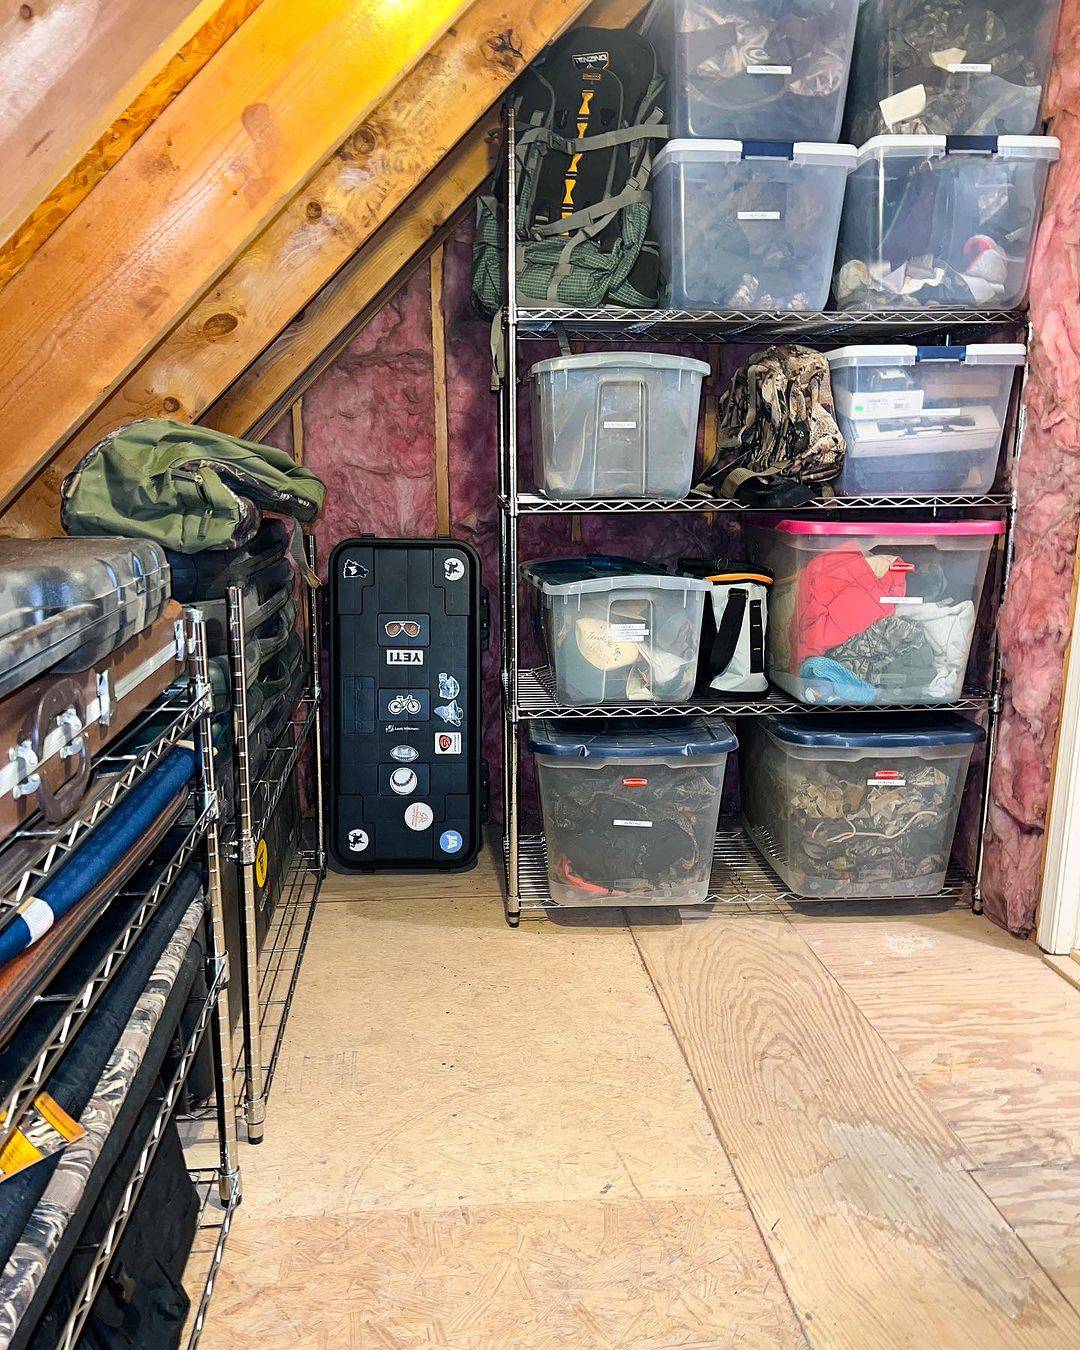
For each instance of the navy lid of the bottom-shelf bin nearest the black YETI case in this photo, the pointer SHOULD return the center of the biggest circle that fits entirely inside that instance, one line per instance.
(631, 738)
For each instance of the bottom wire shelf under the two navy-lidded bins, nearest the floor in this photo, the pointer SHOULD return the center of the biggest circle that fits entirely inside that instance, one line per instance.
(742, 877)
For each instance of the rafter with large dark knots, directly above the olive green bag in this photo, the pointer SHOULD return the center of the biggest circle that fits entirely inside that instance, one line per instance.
(340, 210)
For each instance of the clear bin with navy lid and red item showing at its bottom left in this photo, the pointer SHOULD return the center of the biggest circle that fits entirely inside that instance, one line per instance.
(631, 807)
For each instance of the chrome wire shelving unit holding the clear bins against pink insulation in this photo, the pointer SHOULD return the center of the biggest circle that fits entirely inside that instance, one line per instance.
(740, 873)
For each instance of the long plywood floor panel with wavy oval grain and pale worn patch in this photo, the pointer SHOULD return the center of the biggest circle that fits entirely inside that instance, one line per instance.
(881, 1236)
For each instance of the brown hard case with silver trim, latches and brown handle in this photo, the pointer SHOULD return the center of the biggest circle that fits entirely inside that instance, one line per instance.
(52, 728)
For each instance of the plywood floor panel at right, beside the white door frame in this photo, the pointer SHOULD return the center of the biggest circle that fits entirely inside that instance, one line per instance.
(986, 1028)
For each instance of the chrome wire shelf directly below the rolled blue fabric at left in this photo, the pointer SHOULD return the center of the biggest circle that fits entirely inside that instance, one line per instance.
(72, 1008)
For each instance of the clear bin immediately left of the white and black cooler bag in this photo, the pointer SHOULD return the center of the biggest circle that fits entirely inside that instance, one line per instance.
(619, 631)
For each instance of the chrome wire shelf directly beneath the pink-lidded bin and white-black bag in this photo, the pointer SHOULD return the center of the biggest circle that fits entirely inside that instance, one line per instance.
(537, 699)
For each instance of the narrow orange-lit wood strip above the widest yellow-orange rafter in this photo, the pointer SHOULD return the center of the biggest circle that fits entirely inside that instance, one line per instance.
(149, 103)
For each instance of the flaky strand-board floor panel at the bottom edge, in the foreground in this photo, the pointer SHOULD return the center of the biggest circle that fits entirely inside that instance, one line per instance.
(635, 1274)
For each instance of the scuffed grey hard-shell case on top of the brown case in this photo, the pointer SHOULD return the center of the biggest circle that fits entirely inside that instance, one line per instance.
(68, 603)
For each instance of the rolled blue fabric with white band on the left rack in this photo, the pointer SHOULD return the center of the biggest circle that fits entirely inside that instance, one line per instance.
(102, 851)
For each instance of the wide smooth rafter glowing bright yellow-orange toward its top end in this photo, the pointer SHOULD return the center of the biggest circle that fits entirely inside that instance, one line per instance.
(161, 227)
